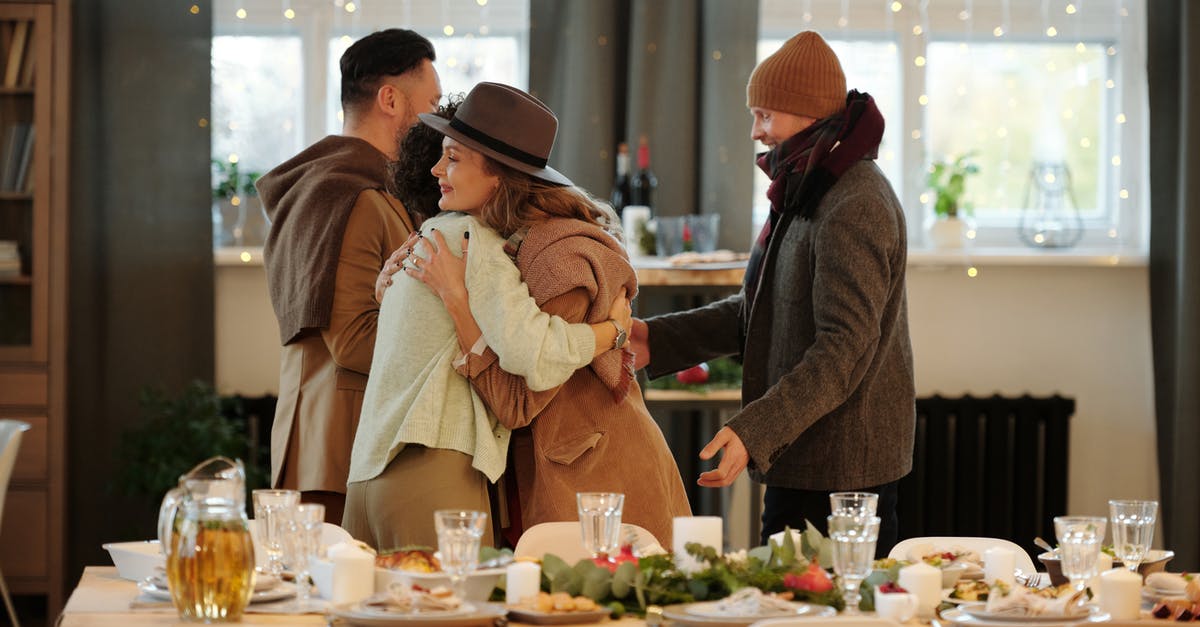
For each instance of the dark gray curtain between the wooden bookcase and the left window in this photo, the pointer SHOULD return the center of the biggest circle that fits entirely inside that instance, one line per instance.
(141, 268)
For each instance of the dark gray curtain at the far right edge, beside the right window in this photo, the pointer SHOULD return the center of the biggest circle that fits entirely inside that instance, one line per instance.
(1174, 75)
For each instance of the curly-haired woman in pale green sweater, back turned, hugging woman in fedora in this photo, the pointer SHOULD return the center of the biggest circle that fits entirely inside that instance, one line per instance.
(419, 417)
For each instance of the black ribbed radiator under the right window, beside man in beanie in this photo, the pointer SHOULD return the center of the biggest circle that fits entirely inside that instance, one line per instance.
(988, 467)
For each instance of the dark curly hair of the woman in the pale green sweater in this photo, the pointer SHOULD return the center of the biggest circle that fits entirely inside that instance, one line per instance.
(421, 151)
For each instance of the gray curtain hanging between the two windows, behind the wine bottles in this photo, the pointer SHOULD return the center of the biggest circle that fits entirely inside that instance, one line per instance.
(671, 70)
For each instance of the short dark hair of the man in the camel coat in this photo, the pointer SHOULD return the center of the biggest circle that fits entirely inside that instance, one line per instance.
(381, 55)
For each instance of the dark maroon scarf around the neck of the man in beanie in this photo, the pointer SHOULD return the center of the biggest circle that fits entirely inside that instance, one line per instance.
(805, 168)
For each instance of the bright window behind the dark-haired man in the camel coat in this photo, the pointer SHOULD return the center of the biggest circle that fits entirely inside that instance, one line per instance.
(275, 77)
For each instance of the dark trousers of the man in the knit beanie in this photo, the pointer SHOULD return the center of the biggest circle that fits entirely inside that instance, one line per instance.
(789, 507)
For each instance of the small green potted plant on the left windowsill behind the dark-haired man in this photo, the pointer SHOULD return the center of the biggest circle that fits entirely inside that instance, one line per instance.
(237, 213)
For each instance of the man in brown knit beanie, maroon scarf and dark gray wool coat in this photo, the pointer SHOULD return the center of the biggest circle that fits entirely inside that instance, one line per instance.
(821, 324)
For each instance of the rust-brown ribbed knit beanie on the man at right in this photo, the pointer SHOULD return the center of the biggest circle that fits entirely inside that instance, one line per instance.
(803, 77)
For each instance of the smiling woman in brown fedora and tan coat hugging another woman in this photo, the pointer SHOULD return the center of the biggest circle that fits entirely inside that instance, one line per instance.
(593, 433)
